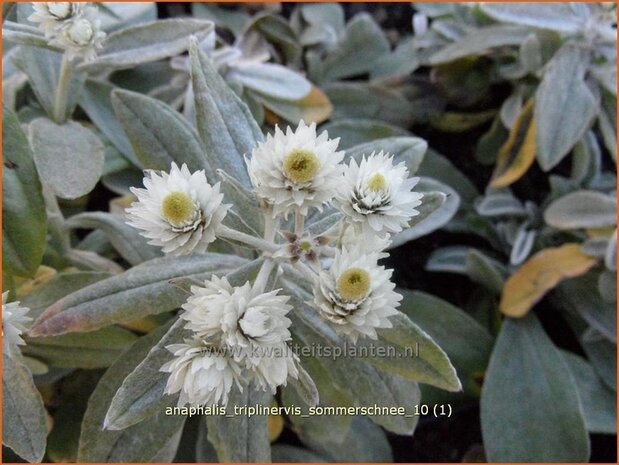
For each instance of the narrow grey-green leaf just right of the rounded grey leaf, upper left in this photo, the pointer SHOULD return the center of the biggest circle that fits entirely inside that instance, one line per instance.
(96, 102)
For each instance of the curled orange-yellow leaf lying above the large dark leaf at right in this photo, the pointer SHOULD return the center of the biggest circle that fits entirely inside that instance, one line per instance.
(541, 273)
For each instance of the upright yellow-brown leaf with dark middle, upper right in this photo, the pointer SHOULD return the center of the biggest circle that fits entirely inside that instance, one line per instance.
(518, 152)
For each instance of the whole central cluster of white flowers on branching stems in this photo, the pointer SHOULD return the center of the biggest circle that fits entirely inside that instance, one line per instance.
(240, 334)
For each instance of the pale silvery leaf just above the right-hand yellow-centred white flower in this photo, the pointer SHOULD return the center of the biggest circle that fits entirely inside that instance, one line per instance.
(410, 150)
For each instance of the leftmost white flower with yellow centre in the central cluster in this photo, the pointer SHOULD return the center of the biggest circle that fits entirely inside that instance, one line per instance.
(180, 211)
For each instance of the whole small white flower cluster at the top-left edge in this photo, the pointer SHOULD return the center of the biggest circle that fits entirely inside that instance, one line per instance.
(71, 26)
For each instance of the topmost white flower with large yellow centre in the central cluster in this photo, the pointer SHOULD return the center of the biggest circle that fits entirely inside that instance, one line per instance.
(296, 169)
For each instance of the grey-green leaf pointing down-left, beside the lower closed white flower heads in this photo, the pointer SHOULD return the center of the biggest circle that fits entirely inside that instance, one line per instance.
(141, 394)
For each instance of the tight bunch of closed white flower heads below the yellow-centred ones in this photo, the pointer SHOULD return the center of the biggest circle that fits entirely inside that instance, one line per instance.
(240, 335)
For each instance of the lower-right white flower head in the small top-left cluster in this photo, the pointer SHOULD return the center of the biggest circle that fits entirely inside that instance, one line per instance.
(81, 36)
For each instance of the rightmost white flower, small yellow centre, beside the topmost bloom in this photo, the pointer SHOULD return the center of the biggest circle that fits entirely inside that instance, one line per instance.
(375, 196)
